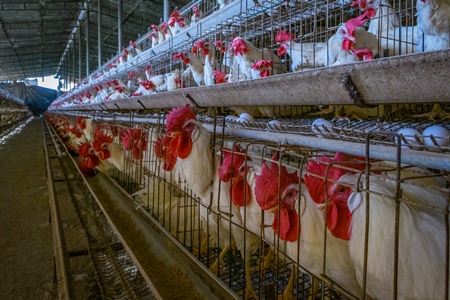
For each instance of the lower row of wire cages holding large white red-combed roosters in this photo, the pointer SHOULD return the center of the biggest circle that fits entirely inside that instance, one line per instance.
(272, 219)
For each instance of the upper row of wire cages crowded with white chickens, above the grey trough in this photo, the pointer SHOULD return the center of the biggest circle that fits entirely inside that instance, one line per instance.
(278, 36)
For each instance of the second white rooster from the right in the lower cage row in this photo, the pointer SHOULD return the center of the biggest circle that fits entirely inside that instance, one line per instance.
(276, 192)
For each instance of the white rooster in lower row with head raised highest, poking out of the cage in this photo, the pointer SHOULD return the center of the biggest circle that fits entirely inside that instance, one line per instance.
(199, 170)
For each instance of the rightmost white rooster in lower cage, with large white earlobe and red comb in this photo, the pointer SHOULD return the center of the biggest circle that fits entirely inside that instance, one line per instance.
(421, 240)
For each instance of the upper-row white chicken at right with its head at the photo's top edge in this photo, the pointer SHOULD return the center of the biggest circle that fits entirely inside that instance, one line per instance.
(385, 25)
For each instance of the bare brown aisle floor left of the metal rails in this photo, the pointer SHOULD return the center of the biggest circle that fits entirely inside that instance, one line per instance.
(26, 245)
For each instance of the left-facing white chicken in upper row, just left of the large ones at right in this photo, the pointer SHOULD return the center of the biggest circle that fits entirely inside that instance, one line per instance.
(303, 55)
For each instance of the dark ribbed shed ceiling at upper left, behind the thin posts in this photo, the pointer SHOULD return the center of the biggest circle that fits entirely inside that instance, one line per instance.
(34, 34)
